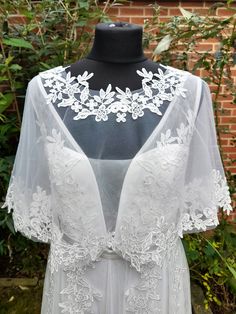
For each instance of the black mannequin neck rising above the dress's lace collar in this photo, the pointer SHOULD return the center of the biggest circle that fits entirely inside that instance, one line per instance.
(117, 42)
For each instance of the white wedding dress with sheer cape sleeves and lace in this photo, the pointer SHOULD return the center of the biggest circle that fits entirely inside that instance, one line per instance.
(115, 226)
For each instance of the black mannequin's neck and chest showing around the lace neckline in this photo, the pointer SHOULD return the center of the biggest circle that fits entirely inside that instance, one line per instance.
(114, 58)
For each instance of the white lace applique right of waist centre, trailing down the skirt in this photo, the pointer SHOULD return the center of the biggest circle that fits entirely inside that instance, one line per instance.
(146, 251)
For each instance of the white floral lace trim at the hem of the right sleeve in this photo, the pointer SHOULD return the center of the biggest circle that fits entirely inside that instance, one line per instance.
(198, 217)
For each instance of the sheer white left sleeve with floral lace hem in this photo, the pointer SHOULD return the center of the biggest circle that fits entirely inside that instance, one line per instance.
(28, 192)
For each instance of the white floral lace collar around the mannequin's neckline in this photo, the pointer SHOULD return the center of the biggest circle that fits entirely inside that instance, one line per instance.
(74, 92)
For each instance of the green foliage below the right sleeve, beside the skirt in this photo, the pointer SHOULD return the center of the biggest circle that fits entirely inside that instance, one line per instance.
(212, 262)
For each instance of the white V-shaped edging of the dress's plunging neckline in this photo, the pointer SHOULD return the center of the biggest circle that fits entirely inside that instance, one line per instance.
(80, 151)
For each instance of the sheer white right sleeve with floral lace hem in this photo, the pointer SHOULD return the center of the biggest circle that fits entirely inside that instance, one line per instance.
(205, 188)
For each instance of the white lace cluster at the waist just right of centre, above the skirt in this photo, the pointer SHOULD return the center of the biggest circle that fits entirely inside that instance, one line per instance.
(142, 246)
